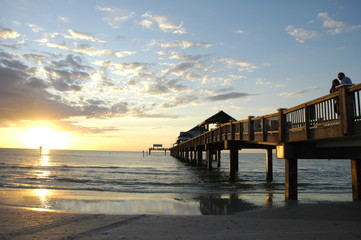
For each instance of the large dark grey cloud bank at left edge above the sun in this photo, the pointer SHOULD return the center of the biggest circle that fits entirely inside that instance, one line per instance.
(19, 101)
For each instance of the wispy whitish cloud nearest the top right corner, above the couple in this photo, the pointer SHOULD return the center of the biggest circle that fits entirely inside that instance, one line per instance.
(335, 27)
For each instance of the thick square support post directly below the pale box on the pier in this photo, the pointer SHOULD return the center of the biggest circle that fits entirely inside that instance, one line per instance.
(291, 179)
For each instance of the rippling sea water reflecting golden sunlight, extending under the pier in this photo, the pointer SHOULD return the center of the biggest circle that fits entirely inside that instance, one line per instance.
(130, 182)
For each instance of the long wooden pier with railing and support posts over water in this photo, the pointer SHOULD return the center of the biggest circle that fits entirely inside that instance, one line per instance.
(325, 128)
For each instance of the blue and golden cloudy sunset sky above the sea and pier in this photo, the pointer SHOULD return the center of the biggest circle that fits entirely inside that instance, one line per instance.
(123, 75)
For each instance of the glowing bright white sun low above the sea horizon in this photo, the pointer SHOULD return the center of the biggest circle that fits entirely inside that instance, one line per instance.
(46, 137)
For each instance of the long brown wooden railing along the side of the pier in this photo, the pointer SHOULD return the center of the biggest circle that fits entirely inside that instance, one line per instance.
(332, 116)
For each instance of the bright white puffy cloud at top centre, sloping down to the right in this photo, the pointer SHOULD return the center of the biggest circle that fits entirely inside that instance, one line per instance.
(162, 22)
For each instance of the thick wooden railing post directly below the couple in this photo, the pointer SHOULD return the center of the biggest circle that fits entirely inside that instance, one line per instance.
(346, 107)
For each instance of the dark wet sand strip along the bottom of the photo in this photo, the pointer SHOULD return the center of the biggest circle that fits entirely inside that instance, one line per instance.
(293, 221)
